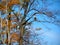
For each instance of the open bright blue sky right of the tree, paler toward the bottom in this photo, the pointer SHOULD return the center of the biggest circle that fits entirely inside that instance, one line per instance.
(50, 30)
